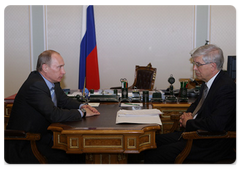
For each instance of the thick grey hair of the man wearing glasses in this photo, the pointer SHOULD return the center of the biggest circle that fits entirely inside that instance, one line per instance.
(211, 54)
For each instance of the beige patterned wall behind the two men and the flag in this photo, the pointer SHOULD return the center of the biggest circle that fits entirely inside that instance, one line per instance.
(127, 35)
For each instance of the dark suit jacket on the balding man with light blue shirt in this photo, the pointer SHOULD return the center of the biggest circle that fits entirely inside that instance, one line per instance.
(33, 109)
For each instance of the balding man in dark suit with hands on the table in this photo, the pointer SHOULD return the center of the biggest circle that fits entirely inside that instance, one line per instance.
(40, 102)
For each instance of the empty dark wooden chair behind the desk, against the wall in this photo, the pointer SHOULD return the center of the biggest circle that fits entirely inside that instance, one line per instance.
(144, 78)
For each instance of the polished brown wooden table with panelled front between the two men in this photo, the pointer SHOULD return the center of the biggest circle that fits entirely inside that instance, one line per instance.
(101, 139)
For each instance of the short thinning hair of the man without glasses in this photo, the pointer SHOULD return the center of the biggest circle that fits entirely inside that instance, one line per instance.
(44, 58)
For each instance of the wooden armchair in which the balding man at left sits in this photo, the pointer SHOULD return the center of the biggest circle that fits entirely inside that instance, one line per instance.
(22, 135)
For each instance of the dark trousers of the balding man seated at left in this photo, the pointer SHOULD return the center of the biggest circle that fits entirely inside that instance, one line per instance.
(20, 153)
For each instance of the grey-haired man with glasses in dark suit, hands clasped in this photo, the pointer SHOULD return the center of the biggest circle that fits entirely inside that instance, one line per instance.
(218, 112)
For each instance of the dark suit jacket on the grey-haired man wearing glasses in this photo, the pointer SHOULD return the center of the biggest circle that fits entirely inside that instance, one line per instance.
(219, 110)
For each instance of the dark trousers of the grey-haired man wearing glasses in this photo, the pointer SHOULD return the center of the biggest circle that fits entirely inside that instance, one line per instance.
(206, 150)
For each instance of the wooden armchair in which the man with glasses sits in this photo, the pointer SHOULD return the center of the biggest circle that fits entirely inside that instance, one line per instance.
(195, 135)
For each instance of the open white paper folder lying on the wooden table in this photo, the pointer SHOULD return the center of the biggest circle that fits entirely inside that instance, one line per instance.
(144, 116)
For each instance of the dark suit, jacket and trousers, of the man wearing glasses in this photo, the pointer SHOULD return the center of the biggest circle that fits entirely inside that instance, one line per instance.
(218, 113)
